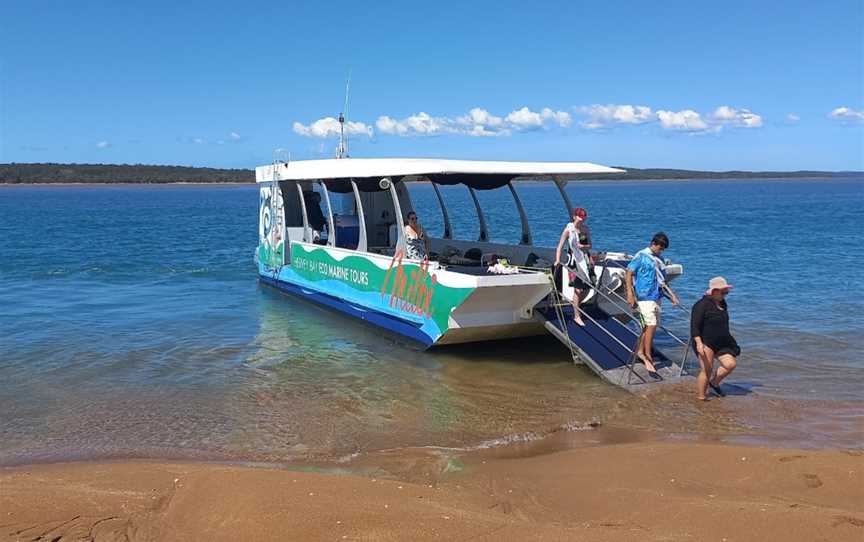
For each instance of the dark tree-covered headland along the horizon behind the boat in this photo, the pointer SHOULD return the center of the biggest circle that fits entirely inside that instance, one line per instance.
(146, 174)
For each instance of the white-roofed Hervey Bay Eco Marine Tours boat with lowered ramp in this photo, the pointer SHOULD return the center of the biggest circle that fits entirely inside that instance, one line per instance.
(333, 232)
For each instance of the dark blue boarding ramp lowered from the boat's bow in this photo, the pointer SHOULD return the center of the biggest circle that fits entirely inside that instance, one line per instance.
(606, 345)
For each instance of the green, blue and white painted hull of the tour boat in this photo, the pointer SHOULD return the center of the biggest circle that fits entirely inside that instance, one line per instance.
(422, 302)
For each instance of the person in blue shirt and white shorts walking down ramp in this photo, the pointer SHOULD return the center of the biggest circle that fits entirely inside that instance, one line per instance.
(650, 283)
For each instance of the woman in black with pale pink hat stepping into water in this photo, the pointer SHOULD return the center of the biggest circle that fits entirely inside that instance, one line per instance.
(709, 329)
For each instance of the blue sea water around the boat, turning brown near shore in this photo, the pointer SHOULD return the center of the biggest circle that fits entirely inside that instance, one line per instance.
(132, 325)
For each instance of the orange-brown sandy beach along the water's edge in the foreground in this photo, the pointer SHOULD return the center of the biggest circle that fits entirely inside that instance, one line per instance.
(633, 491)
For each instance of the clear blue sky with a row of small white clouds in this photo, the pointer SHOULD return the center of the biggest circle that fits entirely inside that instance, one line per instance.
(704, 85)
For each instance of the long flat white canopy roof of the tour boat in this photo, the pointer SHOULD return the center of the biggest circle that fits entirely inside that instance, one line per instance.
(478, 174)
